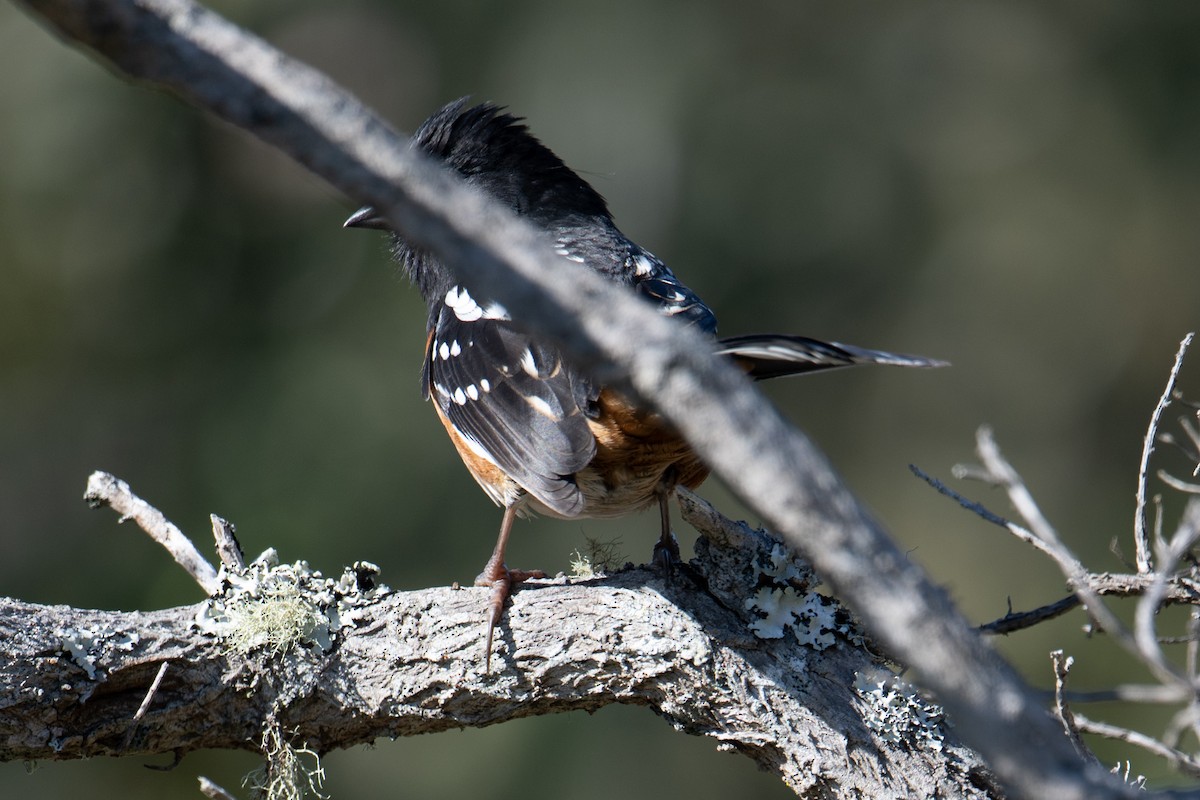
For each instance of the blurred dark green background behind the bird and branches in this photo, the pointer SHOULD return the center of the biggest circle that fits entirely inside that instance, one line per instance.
(1011, 187)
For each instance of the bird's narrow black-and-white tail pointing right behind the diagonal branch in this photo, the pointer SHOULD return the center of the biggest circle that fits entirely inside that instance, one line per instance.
(776, 356)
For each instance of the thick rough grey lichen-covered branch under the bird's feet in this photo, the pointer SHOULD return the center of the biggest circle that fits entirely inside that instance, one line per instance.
(826, 717)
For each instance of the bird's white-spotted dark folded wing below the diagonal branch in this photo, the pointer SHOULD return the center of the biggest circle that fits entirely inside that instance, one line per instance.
(518, 401)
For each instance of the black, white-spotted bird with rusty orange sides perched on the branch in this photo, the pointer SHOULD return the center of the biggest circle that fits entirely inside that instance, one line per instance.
(537, 434)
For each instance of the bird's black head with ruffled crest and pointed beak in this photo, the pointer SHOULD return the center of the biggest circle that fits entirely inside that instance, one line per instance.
(494, 152)
